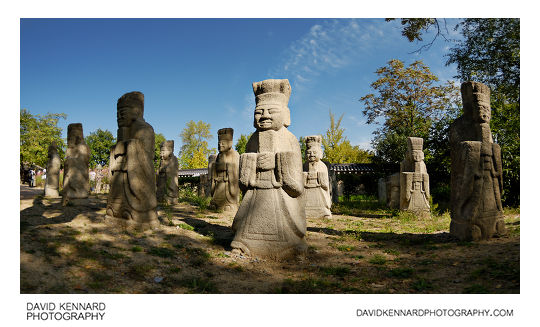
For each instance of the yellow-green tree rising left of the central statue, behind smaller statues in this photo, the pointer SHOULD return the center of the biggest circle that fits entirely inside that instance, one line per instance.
(194, 151)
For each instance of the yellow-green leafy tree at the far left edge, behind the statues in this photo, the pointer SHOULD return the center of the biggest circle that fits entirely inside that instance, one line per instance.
(37, 132)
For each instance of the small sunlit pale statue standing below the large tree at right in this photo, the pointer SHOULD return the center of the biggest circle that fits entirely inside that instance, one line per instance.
(414, 179)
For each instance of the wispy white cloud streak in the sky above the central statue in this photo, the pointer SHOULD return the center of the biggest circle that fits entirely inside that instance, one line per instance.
(331, 45)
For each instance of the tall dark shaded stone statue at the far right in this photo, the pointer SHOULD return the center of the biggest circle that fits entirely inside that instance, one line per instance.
(476, 173)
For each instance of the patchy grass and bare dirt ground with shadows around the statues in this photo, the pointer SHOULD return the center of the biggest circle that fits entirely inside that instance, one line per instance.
(74, 250)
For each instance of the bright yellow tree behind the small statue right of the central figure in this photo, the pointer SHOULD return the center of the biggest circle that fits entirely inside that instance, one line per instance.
(337, 149)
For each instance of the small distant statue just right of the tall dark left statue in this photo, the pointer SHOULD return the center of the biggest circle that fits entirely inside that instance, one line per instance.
(167, 179)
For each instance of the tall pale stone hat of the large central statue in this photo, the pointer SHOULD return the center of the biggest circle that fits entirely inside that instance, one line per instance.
(274, 92)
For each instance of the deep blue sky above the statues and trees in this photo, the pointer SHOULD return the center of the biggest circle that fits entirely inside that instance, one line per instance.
(202, 69)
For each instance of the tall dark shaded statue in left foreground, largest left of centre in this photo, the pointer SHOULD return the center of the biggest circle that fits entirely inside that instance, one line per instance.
(132, 195)
